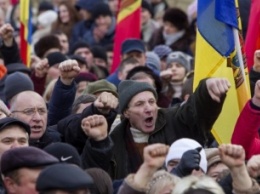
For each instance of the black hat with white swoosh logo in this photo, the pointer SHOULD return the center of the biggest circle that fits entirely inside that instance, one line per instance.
(64, 152)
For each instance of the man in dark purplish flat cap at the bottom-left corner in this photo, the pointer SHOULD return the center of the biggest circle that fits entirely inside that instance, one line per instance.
(21, 167)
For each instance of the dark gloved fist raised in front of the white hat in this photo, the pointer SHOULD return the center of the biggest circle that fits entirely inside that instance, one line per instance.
(190, 160)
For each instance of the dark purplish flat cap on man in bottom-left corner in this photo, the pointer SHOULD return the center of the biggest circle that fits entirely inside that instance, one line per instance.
(25, 157)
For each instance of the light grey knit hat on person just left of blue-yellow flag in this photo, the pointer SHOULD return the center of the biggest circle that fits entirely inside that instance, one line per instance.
(181, 58)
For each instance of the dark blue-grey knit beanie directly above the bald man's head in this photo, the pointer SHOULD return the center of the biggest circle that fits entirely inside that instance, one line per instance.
(16, 83)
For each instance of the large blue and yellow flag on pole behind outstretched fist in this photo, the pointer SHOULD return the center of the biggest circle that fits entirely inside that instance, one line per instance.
(218, 54)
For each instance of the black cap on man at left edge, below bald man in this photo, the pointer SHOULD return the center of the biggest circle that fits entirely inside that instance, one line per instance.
(7, 121)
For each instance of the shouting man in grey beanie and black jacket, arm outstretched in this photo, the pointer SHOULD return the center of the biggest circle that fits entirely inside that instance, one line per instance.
(145, 124)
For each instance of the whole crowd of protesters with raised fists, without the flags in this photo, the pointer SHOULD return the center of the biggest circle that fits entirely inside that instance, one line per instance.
(69, 126)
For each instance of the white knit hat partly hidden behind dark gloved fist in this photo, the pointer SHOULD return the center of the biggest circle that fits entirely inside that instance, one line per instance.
(180, 146)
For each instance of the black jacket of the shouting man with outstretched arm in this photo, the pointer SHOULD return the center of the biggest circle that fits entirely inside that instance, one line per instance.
(193, 119)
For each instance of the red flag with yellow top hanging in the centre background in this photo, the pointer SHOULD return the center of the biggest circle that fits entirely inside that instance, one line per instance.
(128, 26)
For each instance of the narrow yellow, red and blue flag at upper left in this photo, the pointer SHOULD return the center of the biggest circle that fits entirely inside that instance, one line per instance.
(25, 31)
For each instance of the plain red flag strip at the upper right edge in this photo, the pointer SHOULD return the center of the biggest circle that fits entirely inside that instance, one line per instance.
(252, 42)
